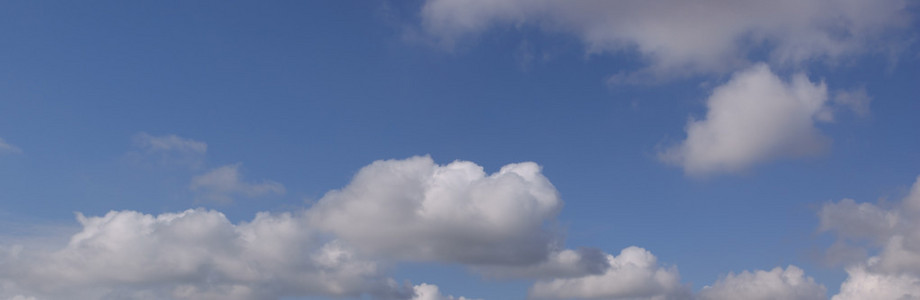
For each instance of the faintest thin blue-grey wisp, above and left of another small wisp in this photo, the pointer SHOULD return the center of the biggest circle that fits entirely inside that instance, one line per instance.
(168, 150)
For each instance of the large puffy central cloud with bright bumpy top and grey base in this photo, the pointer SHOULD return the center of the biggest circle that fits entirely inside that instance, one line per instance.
(414, 209)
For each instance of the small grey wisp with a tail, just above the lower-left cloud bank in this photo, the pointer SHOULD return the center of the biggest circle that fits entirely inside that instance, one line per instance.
(224, 183)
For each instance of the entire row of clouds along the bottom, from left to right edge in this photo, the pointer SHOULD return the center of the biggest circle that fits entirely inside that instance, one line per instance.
(414, 210)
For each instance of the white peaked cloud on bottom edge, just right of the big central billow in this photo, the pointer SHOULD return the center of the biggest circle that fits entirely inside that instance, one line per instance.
(634, 274)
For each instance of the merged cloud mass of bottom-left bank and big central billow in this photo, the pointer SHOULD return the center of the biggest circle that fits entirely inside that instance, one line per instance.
(340, 247)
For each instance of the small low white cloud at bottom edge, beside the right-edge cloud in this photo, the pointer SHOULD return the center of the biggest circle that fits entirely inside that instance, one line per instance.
(791, 284)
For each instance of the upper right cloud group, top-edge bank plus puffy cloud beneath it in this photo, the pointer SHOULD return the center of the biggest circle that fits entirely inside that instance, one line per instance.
(755, 117)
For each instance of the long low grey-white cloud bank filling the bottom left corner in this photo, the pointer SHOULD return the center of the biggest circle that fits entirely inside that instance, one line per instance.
(195, 254)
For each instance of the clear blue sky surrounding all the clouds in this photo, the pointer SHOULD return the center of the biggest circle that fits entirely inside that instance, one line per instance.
(306, 93)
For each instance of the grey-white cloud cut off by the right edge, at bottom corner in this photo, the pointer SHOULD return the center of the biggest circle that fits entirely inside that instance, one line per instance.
(892, 230)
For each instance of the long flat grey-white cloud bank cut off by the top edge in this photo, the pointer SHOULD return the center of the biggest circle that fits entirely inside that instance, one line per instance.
(680, 37)
